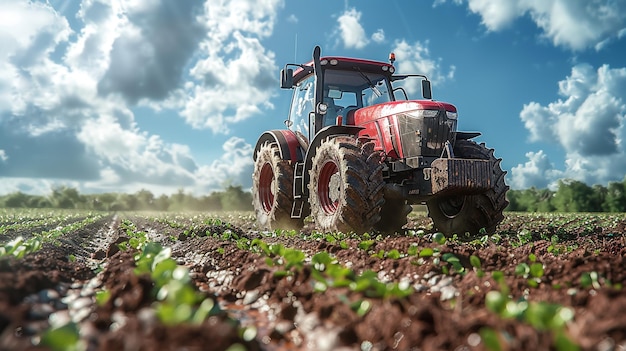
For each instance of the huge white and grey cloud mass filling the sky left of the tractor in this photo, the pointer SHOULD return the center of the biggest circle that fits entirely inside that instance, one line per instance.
(67, 99)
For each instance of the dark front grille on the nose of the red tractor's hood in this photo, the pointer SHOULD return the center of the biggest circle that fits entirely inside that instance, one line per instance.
(425, 136)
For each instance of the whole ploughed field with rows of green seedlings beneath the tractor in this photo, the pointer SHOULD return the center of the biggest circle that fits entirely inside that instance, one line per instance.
(147, 281)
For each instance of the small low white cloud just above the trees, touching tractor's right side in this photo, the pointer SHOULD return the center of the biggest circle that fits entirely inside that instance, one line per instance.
(538, 172)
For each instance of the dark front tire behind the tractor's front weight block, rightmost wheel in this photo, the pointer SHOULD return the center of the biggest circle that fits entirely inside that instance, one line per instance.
(467, 215)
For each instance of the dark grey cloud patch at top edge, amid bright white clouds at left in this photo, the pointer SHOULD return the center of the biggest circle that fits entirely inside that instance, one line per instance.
(152, 47)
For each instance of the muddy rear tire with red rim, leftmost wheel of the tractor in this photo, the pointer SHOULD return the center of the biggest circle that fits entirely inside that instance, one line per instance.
(272, 190)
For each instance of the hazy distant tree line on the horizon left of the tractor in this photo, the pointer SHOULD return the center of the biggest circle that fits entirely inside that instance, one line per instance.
(232, 198)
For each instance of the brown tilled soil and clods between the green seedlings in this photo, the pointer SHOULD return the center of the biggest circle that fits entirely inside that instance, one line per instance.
(446, 310)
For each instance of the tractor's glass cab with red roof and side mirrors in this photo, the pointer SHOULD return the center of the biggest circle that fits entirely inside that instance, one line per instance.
(331, 93)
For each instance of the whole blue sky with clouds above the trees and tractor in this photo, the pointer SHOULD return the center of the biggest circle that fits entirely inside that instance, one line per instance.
(124, 95)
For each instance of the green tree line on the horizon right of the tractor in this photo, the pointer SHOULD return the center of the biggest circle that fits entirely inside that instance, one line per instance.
(570, 196)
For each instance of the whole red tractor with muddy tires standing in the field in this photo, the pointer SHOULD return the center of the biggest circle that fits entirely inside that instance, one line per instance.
(355, 157)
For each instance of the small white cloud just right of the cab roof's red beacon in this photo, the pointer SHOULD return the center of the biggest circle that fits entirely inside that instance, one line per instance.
(416, 59)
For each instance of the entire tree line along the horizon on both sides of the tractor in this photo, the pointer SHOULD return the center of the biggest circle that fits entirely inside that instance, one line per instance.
(570, 196)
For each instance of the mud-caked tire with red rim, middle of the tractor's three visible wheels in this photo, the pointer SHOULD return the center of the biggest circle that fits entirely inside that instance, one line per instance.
(346, 187)
